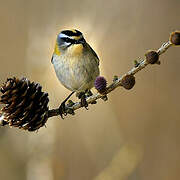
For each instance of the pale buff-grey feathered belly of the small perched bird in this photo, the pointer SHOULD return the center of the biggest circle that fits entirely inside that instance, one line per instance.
(76, 75)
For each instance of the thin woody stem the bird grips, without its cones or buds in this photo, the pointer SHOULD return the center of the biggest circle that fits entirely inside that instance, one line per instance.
(118, 82)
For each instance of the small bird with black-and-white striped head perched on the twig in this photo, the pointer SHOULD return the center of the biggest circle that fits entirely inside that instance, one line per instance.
(76, 65)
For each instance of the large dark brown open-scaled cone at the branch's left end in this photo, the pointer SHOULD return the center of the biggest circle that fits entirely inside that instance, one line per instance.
(26, 106)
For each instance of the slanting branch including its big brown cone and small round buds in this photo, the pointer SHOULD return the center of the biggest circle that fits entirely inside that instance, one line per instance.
(26, 105)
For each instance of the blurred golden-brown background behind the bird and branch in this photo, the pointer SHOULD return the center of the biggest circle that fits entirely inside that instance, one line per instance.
(133, 136)
